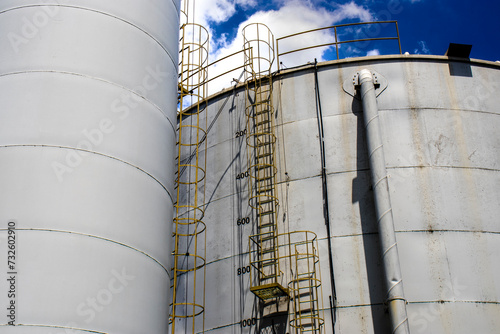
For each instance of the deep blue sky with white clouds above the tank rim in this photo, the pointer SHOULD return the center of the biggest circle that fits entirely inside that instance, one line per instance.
(426, 26)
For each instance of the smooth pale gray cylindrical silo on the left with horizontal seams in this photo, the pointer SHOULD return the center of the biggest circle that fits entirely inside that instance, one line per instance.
(87, 135)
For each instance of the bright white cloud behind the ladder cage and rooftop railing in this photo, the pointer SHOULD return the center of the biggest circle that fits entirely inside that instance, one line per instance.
(293, 16)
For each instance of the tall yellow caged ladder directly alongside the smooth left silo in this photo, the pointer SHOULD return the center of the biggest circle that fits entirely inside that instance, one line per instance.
(189, 268)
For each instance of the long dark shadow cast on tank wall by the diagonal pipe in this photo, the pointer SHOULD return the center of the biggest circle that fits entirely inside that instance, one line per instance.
(362, 193)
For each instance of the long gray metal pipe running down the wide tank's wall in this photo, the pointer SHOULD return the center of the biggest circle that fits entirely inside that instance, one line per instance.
(395, 299)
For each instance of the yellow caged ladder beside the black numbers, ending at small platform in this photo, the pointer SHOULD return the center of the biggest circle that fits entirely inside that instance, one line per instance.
(261, 142)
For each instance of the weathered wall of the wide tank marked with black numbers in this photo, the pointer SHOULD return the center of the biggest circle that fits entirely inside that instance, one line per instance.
(440, 122)
